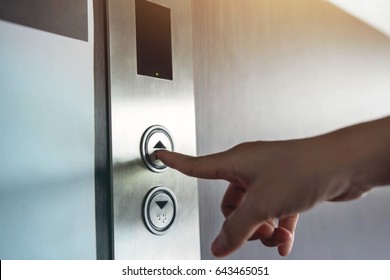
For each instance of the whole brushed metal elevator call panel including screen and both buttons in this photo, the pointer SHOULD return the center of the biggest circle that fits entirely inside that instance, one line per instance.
(155, 209)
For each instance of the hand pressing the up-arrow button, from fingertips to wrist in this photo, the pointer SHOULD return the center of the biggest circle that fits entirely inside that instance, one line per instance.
(268, 181)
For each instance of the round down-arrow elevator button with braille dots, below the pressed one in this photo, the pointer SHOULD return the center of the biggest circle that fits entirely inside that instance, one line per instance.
(159, 210)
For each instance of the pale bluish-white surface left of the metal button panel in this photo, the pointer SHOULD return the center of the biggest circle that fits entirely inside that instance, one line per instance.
(47, 208)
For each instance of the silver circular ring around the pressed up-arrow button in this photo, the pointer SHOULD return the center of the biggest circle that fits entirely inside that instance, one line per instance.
(148, 158)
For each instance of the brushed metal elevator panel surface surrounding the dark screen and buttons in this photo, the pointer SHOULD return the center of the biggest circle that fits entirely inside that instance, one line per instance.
(138, 102)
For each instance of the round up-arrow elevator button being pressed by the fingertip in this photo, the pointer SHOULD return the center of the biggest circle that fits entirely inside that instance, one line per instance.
(155, 138)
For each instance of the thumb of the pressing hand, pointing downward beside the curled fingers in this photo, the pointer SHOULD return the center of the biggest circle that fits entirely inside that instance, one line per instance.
(238, 227)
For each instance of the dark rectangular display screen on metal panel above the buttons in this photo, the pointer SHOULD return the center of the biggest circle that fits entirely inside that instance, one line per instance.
(154, 42)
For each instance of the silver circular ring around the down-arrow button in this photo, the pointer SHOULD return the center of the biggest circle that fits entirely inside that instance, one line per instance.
(146, 210)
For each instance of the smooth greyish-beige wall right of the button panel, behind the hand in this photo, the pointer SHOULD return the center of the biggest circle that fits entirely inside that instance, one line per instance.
(282, 69)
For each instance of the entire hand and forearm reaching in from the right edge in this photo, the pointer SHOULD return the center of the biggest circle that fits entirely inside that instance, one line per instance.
(276, 180)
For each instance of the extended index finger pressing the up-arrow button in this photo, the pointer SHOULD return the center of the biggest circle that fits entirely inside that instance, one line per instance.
(206, 167)
